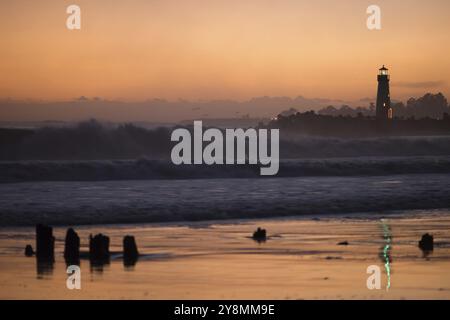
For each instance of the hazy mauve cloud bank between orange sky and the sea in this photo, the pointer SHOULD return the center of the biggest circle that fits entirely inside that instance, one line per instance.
(161, 110)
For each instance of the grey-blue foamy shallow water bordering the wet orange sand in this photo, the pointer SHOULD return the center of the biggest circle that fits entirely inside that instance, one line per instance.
(163, 200)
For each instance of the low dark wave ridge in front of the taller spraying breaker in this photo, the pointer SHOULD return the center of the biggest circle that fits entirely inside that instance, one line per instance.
(146, 169)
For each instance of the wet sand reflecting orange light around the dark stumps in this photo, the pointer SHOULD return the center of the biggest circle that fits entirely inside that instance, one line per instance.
(301, 259)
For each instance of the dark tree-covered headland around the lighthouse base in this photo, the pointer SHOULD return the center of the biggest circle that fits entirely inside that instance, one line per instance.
(428, 115)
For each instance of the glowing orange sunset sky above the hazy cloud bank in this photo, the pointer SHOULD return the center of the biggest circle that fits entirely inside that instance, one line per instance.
(216, 49)
